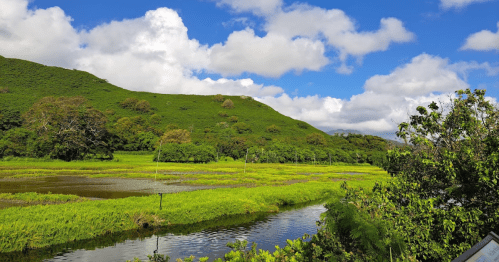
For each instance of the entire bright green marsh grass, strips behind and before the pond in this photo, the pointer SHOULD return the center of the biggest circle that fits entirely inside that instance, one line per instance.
(257, 188)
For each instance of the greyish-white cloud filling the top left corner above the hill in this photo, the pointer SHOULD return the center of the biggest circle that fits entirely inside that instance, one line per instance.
(43, 35)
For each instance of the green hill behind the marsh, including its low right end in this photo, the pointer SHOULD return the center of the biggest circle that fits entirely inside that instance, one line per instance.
(22, 83)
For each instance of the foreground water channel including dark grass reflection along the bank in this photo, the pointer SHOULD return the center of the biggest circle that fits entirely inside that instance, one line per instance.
(180, 242)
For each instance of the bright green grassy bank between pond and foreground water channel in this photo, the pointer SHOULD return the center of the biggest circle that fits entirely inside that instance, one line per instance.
(41, 226)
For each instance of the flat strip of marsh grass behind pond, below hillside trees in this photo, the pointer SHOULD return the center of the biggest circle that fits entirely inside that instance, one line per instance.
(221, 173)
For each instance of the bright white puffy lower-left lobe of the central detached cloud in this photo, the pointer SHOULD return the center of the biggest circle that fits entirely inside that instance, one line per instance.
(272, 55)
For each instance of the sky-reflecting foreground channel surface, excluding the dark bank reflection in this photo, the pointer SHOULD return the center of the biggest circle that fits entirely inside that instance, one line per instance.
(267, 231)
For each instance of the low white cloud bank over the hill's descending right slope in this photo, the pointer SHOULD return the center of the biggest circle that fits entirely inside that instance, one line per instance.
(388, 99)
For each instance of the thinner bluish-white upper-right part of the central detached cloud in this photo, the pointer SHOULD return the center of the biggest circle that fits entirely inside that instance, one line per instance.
(338, 30)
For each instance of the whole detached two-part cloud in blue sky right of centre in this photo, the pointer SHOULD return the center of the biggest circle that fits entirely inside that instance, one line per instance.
(296, 38)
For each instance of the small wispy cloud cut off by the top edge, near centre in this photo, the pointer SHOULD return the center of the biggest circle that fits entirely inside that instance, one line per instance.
(258, 7)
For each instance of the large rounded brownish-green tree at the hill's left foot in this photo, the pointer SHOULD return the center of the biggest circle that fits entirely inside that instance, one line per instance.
(68, 128)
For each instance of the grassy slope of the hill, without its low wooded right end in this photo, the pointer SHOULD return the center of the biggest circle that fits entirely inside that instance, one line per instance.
(27, 82)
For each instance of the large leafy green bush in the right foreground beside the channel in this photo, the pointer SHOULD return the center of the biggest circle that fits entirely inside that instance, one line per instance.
(444, 197)
